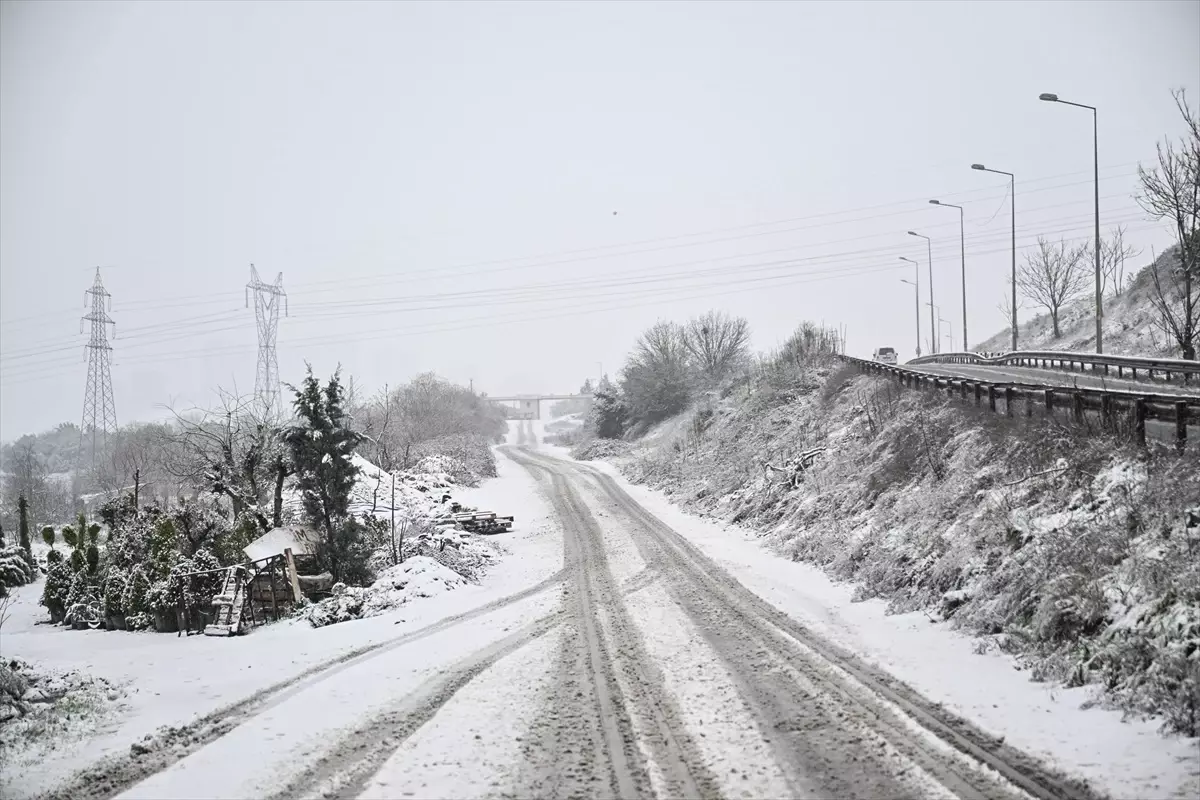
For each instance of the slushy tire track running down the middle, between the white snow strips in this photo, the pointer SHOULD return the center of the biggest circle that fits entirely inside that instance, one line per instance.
(589, 744)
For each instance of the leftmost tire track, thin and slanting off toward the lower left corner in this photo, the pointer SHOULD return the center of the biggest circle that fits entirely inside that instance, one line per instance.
(116, 774)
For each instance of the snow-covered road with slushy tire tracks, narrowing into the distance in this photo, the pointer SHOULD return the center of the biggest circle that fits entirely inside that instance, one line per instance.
(646, 666)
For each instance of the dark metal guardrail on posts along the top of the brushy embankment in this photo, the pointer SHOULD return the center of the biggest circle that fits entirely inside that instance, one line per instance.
(1111, 405)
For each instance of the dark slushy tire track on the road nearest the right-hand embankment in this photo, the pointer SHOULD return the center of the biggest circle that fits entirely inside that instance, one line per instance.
(741, 625)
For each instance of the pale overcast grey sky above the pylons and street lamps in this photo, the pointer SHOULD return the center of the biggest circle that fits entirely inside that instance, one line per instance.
(389, 159)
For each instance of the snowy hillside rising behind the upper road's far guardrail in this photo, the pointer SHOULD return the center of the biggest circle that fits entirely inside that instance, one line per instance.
(1130, 323)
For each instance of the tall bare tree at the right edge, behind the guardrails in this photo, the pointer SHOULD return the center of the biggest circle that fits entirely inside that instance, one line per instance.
(1172, 193)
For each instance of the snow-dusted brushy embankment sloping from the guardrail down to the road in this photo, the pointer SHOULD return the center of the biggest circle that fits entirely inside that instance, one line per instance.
(1076, 555)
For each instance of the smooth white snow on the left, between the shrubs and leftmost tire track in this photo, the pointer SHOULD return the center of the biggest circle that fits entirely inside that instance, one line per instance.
(176, 681)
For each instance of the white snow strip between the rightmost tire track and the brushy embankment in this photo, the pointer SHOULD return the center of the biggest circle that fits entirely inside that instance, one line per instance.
(1124, 759)
